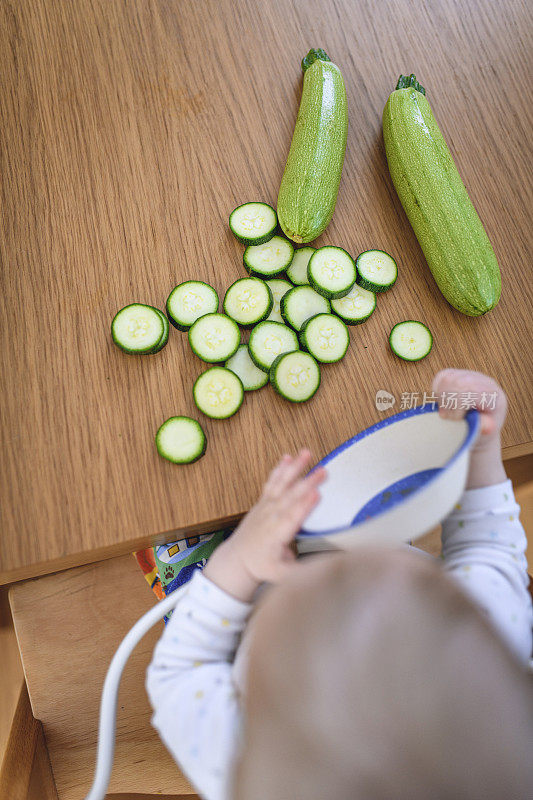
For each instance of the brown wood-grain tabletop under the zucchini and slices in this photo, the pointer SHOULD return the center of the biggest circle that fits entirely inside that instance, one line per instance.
(129, 132)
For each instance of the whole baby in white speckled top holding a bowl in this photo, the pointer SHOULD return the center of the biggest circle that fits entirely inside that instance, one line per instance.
(367, 674)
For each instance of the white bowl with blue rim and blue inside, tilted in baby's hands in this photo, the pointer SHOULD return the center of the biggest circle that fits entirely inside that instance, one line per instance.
(392, 482)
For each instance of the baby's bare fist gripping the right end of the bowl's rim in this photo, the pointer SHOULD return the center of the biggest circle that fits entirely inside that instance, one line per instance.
(489, 398)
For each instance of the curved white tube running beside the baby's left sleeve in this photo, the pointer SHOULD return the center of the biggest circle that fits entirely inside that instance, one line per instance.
(108, 703)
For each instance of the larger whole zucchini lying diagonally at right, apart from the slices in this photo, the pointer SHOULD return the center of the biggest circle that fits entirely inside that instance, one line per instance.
(437, 204)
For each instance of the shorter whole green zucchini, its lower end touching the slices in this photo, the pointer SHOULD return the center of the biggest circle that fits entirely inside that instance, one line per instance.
(310, 183)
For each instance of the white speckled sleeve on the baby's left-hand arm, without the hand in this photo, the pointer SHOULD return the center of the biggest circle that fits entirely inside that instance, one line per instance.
(190, 685)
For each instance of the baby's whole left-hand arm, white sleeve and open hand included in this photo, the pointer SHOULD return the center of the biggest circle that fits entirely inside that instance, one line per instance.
(189, 682)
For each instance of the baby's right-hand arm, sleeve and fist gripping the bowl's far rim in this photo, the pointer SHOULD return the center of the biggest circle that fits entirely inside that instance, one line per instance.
(483, 542)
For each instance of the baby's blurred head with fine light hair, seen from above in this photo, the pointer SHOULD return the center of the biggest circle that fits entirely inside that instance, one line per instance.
(372, 676)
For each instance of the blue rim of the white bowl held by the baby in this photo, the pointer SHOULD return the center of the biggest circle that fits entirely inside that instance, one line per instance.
(473, 422)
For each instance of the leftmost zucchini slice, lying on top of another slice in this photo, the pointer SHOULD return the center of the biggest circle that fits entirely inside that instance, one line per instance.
(137, 328)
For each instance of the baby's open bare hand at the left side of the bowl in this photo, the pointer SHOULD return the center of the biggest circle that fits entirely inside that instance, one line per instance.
(260, 547)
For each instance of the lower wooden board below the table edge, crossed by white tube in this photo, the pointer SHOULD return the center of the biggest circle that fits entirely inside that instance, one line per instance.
(68, 627)
